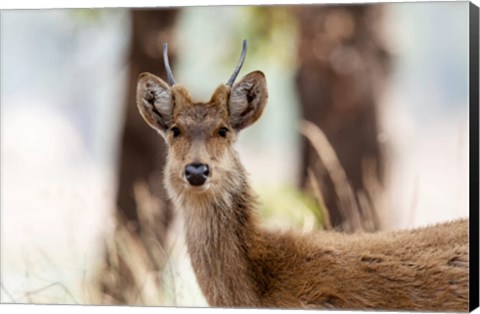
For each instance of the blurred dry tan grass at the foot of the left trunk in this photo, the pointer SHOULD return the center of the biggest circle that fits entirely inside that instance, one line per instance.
(135, 262)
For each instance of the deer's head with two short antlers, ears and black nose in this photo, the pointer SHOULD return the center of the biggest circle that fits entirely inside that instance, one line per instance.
(200, 135)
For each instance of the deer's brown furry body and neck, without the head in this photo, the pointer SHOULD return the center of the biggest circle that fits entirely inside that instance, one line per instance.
(239, 264)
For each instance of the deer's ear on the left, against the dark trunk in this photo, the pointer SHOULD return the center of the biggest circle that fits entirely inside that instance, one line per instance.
(154, 101)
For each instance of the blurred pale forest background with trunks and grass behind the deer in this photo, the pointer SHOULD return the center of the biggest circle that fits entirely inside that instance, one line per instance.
(367, 120)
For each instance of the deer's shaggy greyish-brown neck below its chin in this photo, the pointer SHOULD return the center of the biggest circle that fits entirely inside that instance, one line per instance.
(220, 232)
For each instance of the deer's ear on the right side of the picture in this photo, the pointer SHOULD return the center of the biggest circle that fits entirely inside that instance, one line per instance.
(247, 100)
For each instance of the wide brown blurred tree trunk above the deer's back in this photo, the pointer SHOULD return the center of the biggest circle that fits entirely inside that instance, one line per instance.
(342, 65)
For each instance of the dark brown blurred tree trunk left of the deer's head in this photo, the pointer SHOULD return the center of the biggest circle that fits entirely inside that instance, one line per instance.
(142, 150)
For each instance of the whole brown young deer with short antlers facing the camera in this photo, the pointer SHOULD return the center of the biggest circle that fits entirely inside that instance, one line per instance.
(237, 263)
